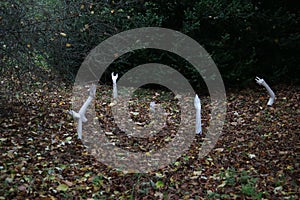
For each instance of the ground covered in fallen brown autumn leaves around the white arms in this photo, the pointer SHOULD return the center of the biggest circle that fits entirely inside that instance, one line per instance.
(256, 157)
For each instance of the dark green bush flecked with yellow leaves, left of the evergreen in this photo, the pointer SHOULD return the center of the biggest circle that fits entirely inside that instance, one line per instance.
(94, 22)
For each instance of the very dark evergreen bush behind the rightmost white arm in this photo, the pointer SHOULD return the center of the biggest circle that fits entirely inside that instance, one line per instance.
(246, 39)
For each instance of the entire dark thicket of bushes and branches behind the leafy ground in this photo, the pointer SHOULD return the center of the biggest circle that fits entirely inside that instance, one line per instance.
(245, 38)
